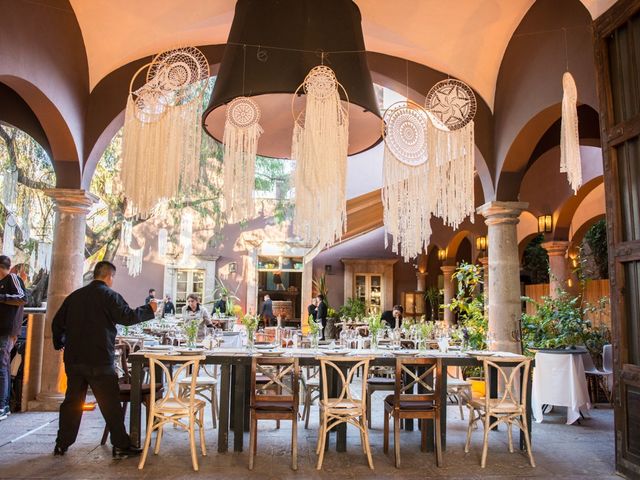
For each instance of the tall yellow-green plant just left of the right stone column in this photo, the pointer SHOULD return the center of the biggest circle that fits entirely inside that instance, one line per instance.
(469, 305)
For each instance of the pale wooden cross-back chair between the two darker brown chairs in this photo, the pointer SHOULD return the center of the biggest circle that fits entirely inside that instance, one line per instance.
(345, 407)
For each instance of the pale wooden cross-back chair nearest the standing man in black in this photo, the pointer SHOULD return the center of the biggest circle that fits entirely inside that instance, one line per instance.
(177, 405)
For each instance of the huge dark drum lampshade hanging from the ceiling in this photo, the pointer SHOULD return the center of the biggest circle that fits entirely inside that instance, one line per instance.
(272, 46)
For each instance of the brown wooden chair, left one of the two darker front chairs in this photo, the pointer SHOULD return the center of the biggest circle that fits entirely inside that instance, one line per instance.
(277, 398)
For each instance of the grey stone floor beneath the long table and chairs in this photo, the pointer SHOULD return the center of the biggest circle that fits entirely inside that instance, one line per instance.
(583, 451)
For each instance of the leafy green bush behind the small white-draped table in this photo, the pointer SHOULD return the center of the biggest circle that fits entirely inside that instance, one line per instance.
(562, 322)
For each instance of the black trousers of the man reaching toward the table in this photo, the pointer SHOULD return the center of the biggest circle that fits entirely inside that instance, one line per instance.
(104, 384)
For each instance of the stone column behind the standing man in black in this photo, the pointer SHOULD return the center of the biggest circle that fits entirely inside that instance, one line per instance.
(67, 261)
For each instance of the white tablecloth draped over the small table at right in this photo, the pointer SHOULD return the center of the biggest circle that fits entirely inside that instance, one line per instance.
(559, 379)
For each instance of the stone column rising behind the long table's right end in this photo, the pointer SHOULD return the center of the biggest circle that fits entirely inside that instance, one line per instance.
(504, 273)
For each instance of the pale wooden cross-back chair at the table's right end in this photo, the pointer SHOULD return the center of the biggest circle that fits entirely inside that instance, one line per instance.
(510, 407)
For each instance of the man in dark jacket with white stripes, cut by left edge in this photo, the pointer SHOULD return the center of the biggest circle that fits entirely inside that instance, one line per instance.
(12, 300)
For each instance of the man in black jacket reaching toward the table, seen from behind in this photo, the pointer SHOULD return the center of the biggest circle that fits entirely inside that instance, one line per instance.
(85, 326)
